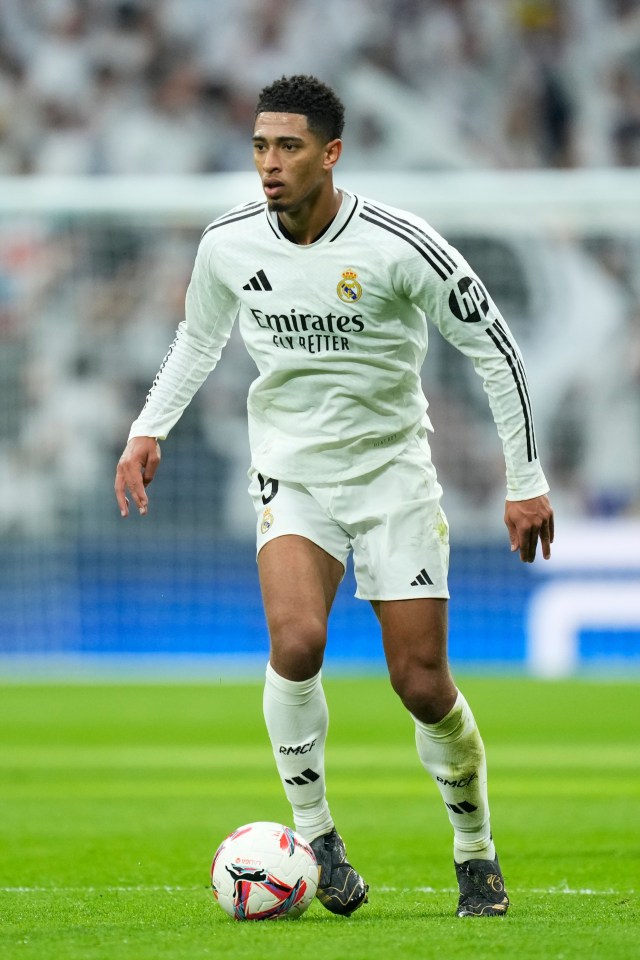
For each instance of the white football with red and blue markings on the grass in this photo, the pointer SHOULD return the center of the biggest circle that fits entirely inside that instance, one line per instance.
(264, 871)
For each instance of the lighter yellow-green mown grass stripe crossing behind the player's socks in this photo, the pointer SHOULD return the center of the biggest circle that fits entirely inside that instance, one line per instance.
(117, 772)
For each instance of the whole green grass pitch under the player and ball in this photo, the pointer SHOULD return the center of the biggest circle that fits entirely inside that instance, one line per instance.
(113, 799)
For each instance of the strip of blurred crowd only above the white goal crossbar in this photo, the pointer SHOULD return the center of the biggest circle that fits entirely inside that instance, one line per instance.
(168, 86)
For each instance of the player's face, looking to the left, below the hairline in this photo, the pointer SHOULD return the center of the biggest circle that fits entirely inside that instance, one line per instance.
(293, 162)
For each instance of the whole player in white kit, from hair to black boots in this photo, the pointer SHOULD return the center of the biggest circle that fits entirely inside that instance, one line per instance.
(333, 292)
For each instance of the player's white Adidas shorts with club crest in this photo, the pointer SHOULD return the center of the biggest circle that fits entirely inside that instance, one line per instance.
(390, 518)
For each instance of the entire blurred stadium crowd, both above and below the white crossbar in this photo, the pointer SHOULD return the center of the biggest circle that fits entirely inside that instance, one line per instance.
(140, 87)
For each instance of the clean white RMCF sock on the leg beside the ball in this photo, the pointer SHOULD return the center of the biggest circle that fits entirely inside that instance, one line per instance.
(297, 721)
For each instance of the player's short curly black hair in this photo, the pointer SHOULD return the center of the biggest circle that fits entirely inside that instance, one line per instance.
(309, 96)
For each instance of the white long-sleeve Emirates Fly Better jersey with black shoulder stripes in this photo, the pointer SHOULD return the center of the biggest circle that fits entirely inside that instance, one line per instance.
(338, 332)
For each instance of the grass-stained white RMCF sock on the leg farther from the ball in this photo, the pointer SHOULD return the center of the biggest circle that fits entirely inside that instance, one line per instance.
(452, 751)
